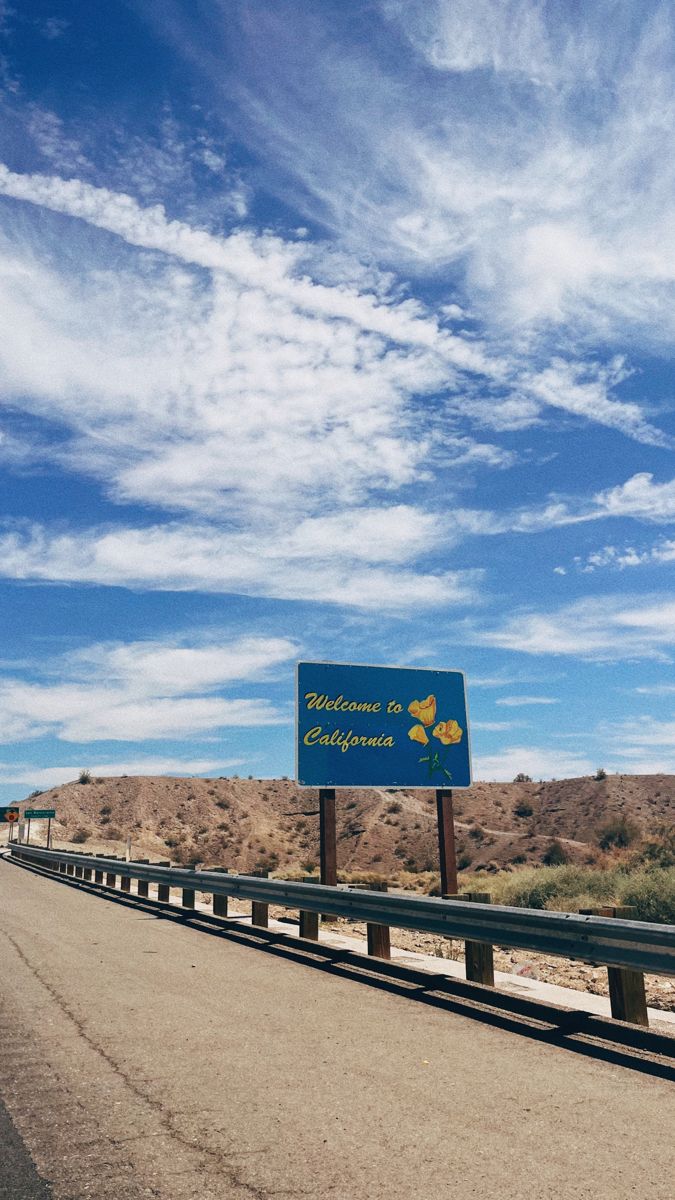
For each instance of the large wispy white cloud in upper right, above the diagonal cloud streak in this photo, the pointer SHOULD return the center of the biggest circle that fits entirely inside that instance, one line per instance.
(546, 178)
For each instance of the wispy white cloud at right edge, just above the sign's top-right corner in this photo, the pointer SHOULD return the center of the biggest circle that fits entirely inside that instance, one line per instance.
(605, 629)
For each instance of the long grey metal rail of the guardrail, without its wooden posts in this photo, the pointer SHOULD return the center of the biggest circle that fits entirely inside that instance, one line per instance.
(635, 945)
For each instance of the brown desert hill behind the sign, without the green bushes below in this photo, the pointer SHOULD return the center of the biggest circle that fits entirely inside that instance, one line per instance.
(255, 824)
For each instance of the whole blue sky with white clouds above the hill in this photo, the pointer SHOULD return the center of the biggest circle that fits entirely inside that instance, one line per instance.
(334, 331)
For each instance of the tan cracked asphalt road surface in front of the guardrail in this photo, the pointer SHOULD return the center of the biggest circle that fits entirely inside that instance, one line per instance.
(145, 1059)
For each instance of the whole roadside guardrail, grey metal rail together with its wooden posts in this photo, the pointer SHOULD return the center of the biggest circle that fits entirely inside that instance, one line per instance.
(629, 949)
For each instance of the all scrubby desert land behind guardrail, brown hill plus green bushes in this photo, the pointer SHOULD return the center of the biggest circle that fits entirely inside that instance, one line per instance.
(565, 844)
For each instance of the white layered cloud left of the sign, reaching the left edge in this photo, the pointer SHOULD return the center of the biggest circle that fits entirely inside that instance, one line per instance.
(145, 691)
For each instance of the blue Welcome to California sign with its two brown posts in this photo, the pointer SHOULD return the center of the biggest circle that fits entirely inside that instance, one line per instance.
(369, 727)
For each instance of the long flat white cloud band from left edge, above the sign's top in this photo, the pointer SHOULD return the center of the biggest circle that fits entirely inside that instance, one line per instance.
(355, 561)
